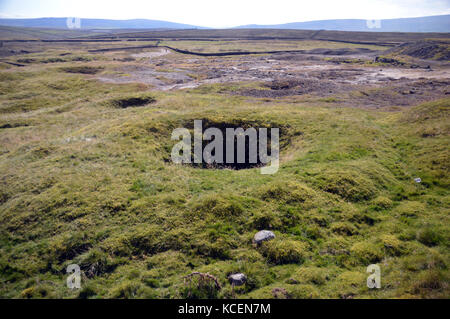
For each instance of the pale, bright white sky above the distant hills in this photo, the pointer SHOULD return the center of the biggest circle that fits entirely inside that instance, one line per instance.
(224, 13)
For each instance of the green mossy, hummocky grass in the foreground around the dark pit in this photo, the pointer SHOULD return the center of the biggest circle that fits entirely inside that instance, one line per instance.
(83, 182)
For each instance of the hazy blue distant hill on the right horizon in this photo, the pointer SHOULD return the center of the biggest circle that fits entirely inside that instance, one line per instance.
(423, 24)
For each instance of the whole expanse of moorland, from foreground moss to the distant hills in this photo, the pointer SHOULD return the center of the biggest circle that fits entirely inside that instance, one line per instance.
(86, 177)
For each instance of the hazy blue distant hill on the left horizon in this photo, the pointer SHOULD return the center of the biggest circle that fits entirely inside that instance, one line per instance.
(61, 23)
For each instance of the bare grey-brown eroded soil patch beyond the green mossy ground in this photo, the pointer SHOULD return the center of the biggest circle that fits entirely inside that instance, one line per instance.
(344, 77)
